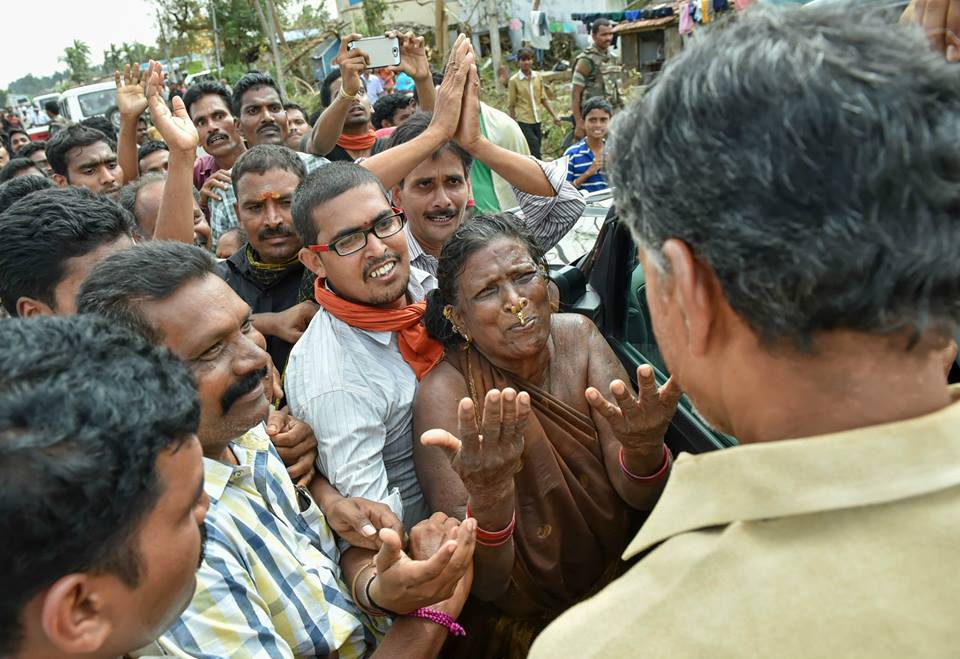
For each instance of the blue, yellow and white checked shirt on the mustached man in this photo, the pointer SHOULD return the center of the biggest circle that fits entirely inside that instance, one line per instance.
(270, 585)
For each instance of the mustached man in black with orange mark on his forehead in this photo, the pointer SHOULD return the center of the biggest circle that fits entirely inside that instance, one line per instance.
(266, 271)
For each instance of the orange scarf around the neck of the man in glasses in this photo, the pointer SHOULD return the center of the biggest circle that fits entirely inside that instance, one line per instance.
(420, 351)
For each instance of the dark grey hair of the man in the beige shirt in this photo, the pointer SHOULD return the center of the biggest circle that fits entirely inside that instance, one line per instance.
(812, 159)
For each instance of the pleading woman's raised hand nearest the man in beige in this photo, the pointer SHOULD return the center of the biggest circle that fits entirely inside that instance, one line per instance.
(638, 423)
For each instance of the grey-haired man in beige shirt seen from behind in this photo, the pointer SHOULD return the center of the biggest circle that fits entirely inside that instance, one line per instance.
(803, 297)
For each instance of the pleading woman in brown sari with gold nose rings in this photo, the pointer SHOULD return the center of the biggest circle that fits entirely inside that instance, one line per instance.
(517, 434)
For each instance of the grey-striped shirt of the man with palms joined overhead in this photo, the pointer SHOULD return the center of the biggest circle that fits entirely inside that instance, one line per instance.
(548, 219)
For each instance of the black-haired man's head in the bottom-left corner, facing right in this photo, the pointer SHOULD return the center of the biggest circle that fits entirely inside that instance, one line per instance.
(103, 507)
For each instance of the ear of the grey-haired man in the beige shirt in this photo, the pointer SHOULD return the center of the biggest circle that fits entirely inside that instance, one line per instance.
(697, 293)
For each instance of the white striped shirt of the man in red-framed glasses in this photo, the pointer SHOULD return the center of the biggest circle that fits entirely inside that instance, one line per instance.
(354, 389)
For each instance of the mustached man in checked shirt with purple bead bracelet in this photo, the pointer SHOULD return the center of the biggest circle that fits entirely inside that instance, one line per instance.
(275, 581)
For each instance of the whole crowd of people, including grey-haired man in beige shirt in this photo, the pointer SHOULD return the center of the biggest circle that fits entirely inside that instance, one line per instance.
(304, 394)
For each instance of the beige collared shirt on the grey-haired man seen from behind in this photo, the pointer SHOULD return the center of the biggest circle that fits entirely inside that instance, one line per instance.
(843, 545)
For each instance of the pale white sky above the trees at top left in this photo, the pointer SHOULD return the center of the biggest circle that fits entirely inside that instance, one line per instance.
(36, 48)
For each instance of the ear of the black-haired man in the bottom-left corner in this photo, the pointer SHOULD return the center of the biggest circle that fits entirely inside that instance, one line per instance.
(72, 616)
